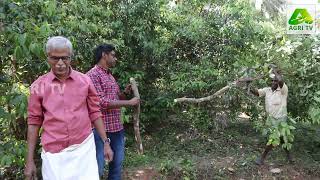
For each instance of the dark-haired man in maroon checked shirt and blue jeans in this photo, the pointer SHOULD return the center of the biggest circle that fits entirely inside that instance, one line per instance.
(111, 100)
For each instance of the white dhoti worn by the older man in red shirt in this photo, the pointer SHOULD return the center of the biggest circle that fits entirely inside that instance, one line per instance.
(77, 162)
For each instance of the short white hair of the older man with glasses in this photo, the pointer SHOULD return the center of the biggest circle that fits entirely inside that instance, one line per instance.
(58, 42)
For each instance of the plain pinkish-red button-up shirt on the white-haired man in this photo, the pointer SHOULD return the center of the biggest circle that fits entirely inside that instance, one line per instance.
(64, 109)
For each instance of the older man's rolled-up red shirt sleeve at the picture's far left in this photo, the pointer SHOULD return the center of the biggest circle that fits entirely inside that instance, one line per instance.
(35, 113)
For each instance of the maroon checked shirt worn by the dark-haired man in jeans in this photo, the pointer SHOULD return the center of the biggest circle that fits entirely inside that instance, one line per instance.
(107, 89)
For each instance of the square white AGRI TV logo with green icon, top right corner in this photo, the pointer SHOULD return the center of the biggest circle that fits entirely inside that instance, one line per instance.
(301, 19)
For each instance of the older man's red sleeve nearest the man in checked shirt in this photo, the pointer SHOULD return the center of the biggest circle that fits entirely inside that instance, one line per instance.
(93, 103)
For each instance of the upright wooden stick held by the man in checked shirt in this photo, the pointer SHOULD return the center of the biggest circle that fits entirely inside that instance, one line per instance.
(136, 116)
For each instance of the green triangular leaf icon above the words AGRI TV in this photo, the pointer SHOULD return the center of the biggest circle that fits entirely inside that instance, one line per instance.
(300, 16)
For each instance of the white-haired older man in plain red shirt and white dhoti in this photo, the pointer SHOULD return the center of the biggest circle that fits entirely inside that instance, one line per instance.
(64, 103)
